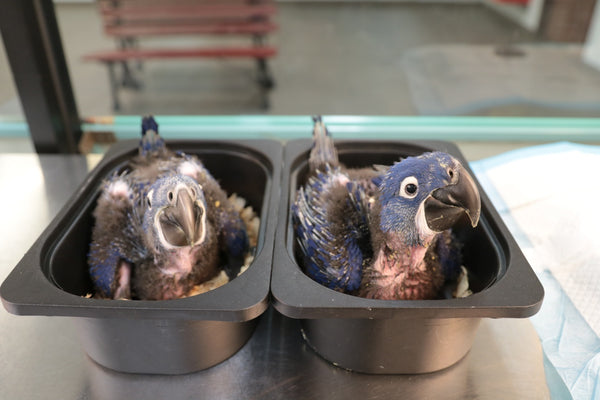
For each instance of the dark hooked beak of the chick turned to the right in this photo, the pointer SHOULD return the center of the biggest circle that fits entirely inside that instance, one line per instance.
(446, 205)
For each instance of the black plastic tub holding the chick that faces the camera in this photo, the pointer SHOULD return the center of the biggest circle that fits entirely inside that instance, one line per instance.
(158, 337)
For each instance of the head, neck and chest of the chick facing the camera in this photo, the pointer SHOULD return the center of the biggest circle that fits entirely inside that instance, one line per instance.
(180, 239)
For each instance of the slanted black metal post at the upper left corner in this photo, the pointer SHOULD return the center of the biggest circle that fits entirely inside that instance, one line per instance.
(35, 53)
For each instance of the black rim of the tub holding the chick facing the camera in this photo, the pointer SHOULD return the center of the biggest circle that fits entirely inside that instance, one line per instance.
(28, 291)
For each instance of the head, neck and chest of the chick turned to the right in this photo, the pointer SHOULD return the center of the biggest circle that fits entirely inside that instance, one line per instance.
(419, 200)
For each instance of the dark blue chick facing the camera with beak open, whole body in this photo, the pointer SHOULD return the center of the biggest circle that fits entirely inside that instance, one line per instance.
(162, 226)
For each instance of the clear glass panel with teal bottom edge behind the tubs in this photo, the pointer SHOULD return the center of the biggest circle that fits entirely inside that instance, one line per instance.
(484, 58)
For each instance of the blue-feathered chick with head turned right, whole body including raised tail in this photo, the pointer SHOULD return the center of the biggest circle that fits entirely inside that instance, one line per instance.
(383, 232)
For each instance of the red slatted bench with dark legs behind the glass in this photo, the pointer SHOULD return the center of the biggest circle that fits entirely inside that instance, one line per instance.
(128, 20)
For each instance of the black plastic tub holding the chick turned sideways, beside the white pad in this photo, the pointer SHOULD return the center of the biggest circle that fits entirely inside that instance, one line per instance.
(402, 336)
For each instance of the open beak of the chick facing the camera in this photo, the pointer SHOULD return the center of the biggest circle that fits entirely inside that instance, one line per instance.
(182, 222)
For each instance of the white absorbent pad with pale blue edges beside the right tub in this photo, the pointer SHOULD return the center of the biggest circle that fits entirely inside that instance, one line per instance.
(548, 197)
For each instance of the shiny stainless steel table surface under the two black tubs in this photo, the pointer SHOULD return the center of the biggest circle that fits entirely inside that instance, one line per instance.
(40, 357)
